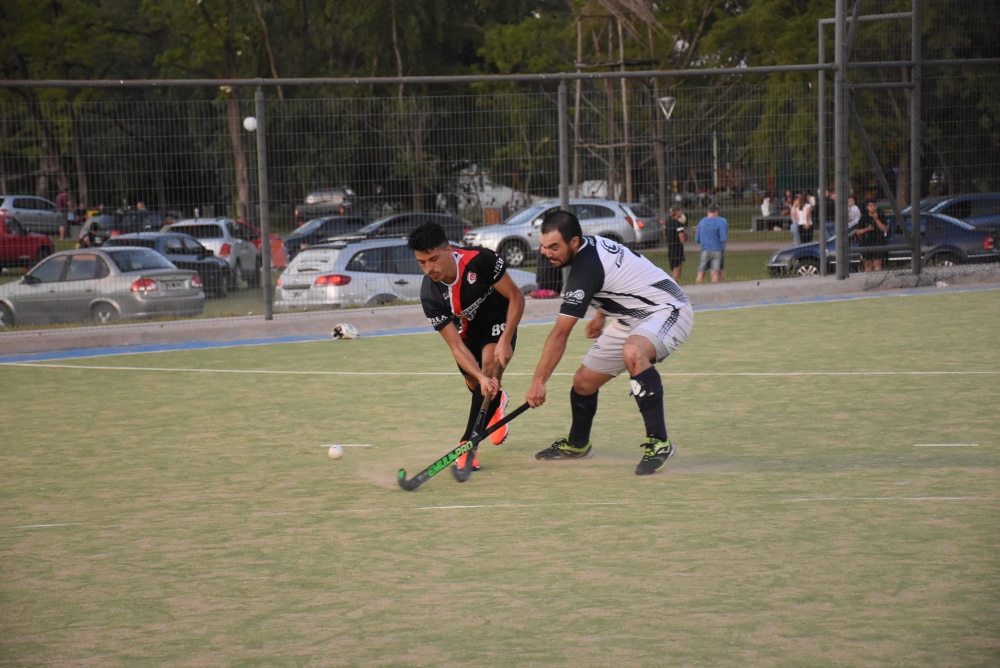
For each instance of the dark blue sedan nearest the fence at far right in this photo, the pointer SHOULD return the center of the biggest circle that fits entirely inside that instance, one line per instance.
(944, 241)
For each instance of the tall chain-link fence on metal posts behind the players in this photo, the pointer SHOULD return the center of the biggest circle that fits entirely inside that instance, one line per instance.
(475, 155)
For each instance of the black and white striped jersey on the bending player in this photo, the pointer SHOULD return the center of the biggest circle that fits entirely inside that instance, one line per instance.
(619, 282)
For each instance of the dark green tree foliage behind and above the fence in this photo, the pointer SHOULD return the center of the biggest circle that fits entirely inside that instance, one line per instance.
(45, 130)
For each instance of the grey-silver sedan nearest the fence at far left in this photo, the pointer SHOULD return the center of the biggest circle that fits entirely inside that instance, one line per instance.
(101, 285)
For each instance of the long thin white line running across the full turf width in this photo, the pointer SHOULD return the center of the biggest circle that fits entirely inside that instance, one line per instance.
(777, 374)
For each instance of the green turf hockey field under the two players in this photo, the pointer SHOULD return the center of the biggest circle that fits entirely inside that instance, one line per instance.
(178, 509)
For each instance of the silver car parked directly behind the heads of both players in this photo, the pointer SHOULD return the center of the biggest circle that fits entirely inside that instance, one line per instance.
(516, 239)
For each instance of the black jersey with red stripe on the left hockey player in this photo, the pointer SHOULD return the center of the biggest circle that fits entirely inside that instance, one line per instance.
(471, 296)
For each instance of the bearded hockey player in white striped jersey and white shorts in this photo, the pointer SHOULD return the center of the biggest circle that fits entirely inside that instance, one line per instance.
(642, 317)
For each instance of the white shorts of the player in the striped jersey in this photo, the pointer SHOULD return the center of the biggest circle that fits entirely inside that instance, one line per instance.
(666, 330)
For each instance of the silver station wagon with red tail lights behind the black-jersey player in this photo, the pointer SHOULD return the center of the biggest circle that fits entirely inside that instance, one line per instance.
(365, 273)
